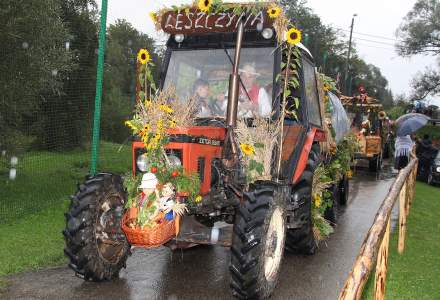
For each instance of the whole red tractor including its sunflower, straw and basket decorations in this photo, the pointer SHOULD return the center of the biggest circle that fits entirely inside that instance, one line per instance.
(235, 134)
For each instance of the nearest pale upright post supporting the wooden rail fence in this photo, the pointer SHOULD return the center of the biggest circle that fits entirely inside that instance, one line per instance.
(382, 266)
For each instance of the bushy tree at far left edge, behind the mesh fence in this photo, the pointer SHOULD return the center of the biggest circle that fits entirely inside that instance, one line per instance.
(34, 61)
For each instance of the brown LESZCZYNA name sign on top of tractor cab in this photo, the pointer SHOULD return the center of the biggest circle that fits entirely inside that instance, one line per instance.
(196, 21)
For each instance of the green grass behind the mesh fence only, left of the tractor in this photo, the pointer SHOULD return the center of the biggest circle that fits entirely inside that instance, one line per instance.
(43, 178)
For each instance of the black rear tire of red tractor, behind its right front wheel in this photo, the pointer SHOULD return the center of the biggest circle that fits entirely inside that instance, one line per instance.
(302, 240)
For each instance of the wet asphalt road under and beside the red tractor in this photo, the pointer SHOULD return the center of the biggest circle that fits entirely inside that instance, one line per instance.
(202, 272)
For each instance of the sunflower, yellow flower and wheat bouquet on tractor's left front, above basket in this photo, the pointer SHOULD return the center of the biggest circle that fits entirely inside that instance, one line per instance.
(153, 121)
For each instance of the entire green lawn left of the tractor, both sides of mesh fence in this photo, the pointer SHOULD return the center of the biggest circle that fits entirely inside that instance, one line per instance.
(32, 207)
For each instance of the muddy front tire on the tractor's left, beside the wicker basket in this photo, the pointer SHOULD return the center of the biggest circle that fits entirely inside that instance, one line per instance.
(95, 243)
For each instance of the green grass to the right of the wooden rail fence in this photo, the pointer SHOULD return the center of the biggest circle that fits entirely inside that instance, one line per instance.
(415, 274)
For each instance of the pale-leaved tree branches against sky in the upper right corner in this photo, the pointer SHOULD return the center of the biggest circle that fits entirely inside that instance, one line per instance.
(420, 34)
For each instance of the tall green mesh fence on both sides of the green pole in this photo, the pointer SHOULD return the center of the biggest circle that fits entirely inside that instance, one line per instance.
(49, 55)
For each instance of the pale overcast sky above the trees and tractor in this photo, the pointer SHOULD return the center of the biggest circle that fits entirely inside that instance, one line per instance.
(374, 29)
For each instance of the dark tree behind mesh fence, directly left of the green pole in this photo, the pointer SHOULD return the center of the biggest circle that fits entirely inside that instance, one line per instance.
(66, 122)
